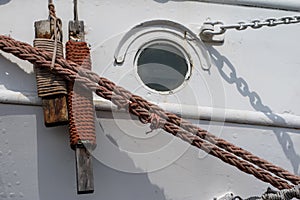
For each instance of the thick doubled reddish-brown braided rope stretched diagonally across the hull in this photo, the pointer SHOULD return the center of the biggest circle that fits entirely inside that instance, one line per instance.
(144, 110)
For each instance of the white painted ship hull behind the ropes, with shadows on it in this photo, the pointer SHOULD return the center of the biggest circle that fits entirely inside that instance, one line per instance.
(252, 85)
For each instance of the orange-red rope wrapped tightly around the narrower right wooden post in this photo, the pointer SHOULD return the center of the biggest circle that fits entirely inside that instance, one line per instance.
(80, 102)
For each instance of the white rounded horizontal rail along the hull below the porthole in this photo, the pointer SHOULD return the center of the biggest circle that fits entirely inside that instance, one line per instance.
(186, 111)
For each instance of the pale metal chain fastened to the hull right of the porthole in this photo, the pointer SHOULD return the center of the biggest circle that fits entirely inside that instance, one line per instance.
(221, 28)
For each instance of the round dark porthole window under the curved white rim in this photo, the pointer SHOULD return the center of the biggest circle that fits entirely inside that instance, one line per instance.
(162, 67)
